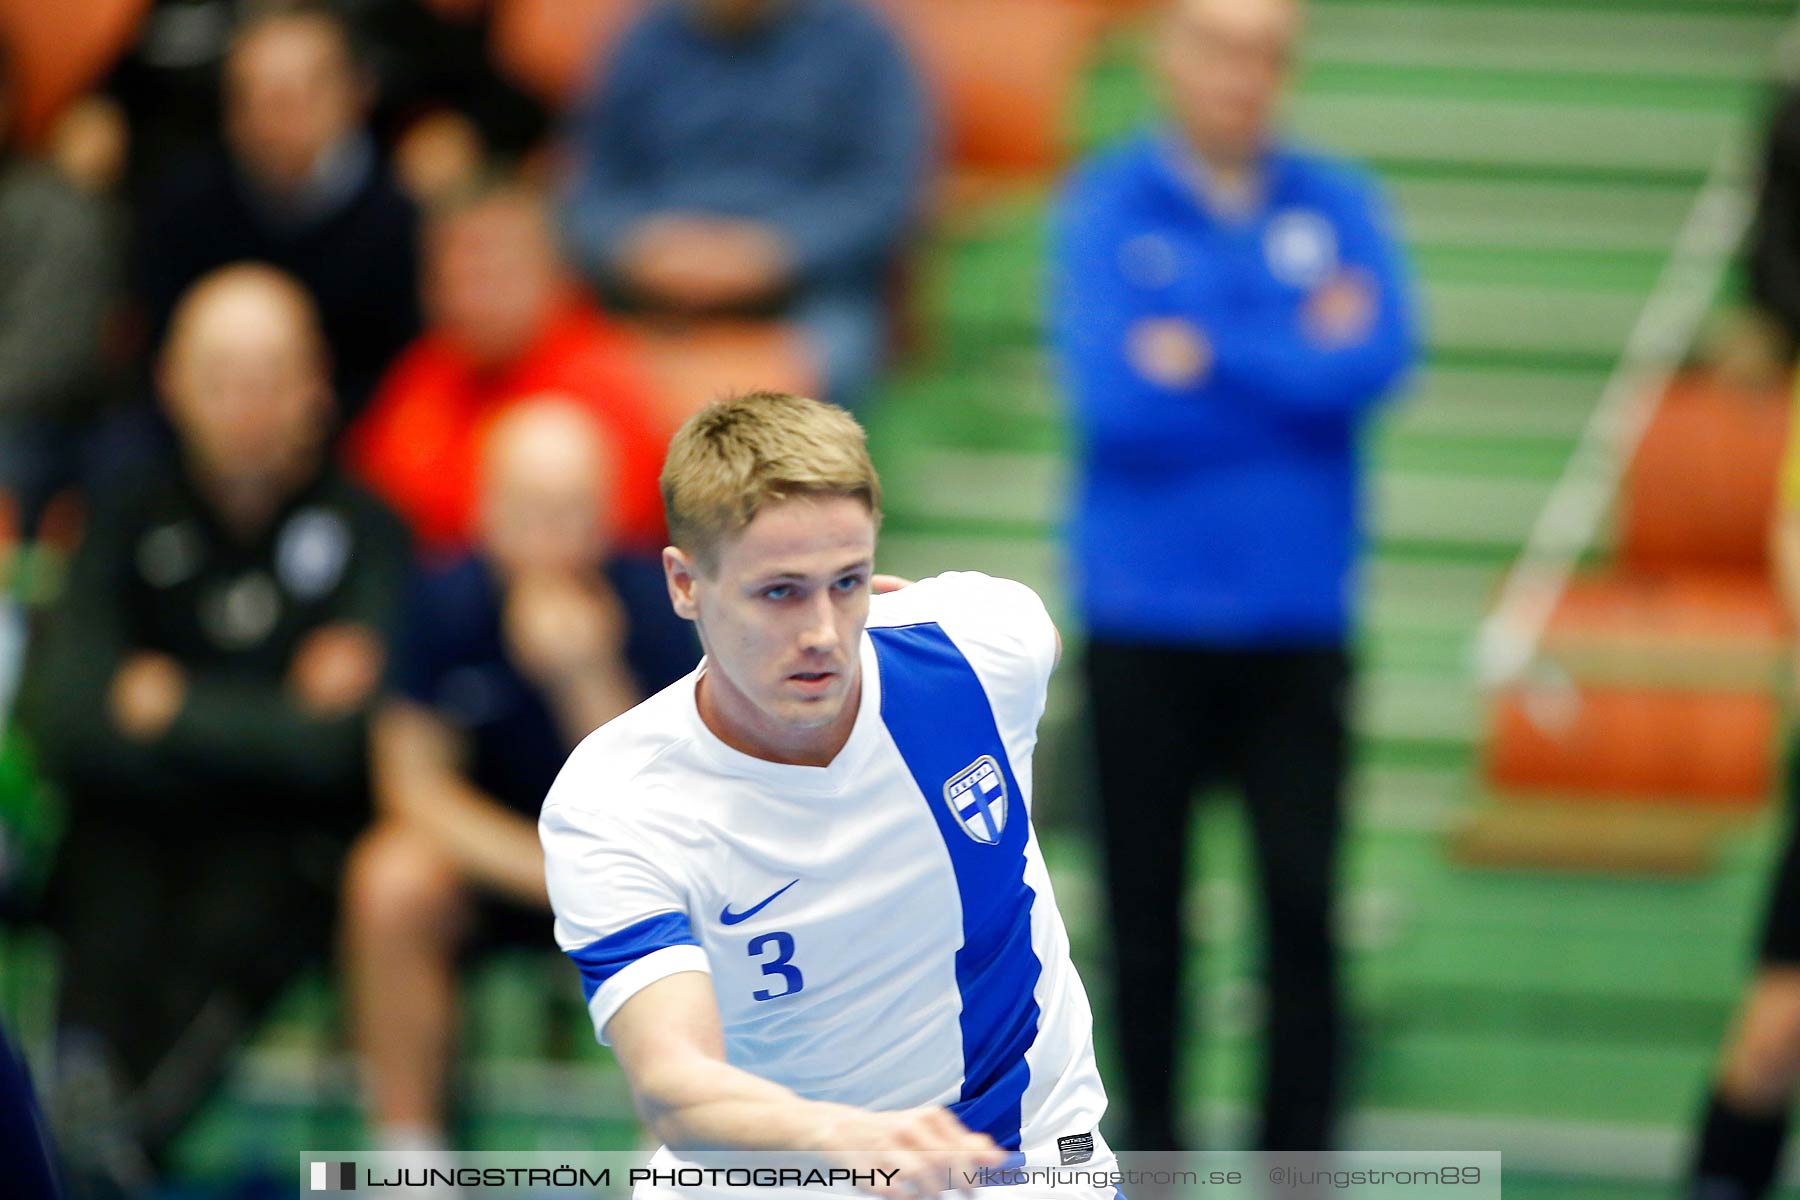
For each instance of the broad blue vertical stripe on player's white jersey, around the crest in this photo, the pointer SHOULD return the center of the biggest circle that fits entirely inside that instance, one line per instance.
(940, 721)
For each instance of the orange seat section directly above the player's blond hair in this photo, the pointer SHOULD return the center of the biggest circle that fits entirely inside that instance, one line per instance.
(694, 364)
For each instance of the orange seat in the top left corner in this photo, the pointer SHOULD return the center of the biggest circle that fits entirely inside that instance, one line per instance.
(60, 49)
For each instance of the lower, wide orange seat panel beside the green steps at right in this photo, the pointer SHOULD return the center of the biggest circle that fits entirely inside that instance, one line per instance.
(1648, 744)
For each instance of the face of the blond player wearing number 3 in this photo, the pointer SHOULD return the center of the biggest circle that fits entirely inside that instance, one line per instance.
(782, 620)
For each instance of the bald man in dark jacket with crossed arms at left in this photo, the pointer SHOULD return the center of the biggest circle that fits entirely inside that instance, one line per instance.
(202, 701)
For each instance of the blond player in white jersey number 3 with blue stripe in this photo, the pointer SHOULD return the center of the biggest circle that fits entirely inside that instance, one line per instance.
(802, 884)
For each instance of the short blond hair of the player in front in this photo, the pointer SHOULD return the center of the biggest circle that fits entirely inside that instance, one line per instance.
(737, 456)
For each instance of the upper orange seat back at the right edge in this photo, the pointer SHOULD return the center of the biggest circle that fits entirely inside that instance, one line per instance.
(1702, 485)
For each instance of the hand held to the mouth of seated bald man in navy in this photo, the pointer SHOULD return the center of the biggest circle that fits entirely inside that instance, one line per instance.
(559, 627)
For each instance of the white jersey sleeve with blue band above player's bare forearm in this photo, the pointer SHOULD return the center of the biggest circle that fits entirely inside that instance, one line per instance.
(622, 917)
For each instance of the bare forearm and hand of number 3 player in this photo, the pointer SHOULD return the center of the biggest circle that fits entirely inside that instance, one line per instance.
(672, 1048)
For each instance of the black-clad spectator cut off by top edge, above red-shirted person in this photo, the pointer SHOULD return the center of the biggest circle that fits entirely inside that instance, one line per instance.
(444, 103)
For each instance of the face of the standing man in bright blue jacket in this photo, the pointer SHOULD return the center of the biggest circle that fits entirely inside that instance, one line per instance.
(1225, 66)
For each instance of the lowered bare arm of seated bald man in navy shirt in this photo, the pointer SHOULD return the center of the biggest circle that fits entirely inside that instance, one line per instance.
(418, 778)
